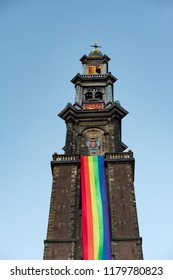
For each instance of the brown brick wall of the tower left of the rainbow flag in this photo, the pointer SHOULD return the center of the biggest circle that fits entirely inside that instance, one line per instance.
(61, 234)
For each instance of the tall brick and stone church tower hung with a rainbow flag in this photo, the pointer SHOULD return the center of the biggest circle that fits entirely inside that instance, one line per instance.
(93, 134)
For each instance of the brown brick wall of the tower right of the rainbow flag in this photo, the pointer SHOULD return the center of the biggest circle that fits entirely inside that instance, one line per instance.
(126, 243)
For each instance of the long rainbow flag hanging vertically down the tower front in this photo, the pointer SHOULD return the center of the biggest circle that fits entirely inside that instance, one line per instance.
(95, 217)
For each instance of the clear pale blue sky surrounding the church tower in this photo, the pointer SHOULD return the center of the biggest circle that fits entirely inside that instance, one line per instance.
(41, 42)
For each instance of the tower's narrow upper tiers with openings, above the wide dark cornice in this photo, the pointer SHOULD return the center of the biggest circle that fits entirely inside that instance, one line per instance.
(95, 86)
